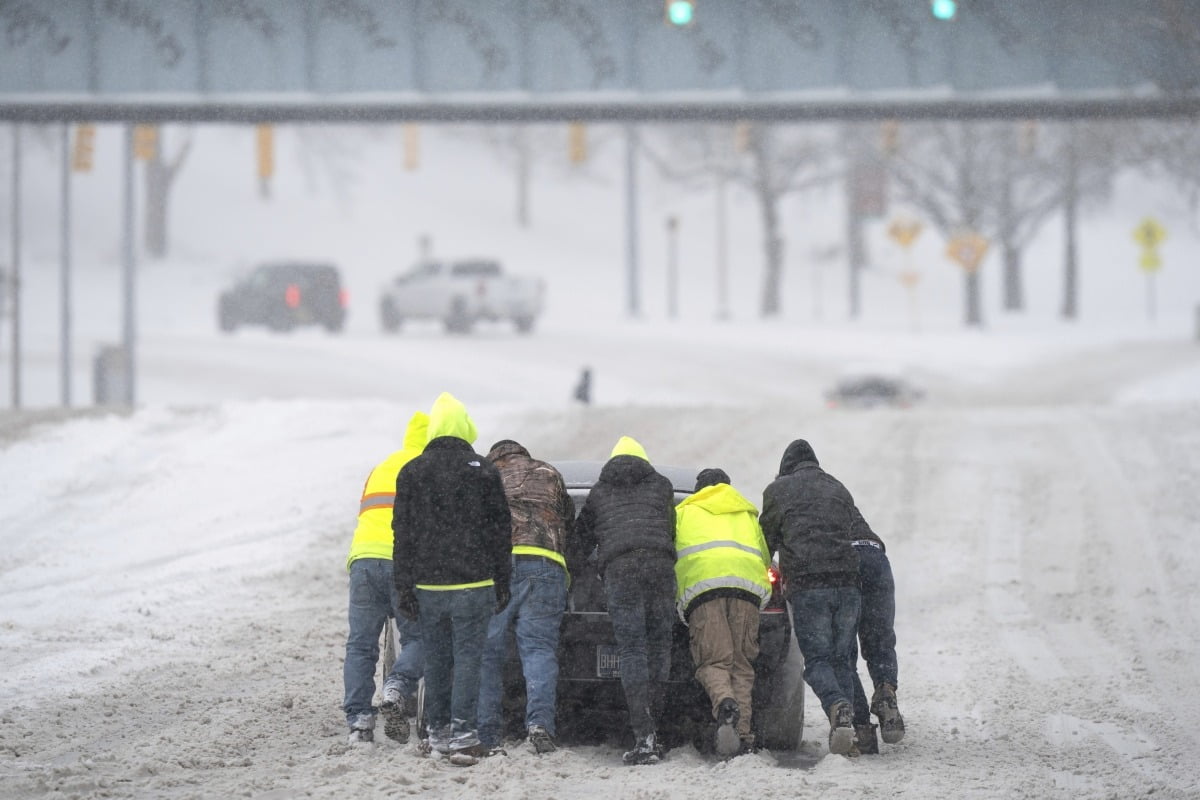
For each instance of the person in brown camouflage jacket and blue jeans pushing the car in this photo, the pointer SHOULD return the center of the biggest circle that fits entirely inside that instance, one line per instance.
(543, 520)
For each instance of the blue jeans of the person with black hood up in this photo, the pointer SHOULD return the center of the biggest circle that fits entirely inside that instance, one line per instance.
(826, 623)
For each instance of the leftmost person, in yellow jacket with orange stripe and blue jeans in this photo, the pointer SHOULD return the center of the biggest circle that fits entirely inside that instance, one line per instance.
(374, 599)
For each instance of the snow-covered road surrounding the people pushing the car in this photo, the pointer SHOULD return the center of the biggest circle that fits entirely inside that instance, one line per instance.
(172, 591)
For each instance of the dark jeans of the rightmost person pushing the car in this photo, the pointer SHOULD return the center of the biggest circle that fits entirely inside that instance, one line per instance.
(877, 627)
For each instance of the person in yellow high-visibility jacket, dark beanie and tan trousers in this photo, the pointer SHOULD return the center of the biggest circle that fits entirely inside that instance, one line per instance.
(722, 582)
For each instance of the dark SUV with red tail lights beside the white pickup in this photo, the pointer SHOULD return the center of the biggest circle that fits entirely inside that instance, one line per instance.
(283, 296)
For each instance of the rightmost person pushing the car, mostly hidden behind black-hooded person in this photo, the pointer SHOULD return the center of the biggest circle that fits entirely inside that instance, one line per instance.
(878, 637)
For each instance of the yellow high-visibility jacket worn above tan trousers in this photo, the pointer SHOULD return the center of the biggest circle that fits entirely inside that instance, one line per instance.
(719, 545)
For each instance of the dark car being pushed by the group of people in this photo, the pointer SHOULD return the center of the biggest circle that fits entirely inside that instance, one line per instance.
(591, 702)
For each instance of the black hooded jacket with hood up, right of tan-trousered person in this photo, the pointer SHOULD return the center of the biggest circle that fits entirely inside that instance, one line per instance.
(808, 516)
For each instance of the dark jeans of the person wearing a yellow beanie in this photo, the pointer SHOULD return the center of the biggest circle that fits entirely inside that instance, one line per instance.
(640, 590)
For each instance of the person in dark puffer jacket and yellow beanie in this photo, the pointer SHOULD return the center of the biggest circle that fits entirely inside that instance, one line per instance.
(629, 522)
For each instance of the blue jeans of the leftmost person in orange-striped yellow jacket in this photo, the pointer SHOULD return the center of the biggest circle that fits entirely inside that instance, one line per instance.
(373, 601)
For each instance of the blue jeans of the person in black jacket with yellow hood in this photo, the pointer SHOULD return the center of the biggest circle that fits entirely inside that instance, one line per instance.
(454, 628)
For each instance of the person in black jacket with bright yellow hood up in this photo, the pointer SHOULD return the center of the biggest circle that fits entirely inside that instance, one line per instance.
(452, 536)
